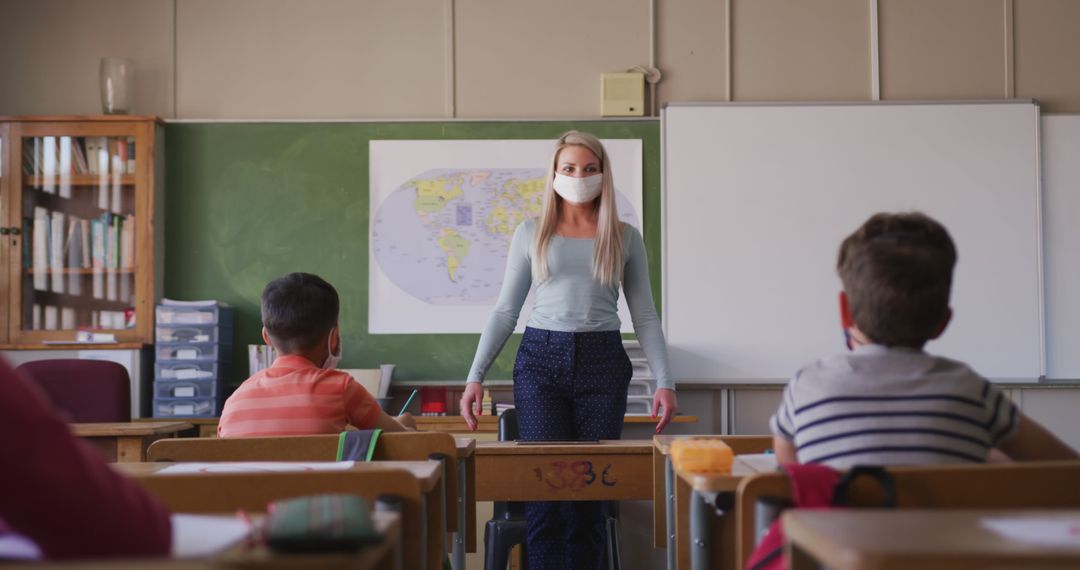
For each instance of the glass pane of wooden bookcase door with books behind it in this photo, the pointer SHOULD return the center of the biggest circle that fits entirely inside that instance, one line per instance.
(77, 196)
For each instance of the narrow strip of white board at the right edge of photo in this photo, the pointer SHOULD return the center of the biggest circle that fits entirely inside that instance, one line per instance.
(1061, 175)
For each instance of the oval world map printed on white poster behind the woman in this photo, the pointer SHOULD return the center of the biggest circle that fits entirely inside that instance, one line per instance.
(443, 236)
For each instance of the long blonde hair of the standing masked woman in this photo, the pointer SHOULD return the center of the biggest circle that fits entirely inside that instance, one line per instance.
(607, 249)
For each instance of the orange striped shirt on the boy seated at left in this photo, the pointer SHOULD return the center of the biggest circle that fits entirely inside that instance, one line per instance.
(296, 398)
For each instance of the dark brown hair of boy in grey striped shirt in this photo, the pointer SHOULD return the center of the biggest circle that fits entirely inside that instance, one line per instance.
(898, 273)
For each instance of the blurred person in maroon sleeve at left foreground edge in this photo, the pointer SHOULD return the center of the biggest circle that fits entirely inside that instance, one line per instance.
(59, 498)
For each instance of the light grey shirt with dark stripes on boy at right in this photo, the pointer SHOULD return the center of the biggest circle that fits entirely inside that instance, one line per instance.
(893, 406)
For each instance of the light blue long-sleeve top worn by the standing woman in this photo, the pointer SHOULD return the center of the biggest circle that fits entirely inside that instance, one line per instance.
(572, 300)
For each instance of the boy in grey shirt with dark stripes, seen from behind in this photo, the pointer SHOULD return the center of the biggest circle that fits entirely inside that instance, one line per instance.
(888, 402)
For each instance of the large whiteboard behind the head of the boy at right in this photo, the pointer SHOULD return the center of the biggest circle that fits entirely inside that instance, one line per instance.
(758, 199)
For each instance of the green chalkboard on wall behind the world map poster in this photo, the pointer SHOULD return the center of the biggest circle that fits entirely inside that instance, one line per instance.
(250, 202)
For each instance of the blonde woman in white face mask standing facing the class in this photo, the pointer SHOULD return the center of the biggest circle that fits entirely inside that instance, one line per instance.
(572, 373)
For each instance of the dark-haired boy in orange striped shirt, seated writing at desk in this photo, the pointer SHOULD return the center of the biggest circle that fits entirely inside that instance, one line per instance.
(303, 393)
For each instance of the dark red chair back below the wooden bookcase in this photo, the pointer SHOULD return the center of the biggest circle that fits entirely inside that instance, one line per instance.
(88, 391)
